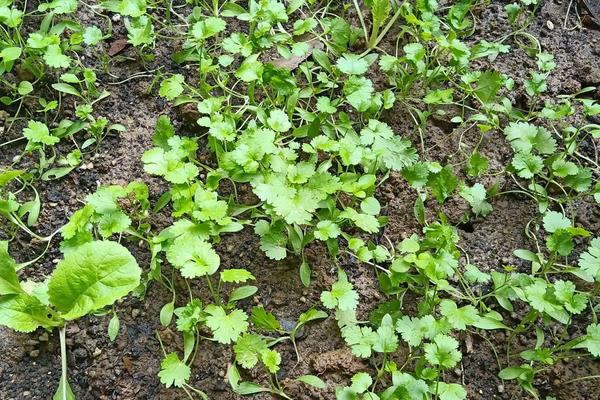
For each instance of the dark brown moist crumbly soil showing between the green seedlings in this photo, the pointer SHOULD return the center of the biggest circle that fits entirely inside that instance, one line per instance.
(127, 368)
